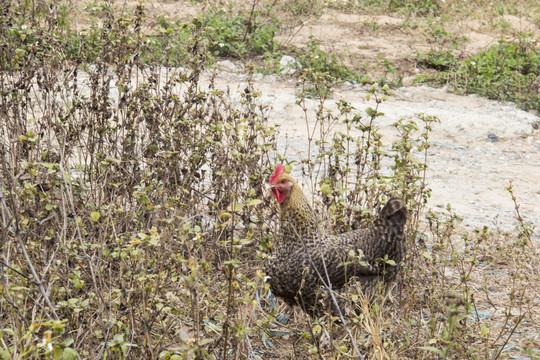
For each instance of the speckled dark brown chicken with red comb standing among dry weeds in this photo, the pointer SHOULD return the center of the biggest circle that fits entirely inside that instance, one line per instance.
(307, 264)
